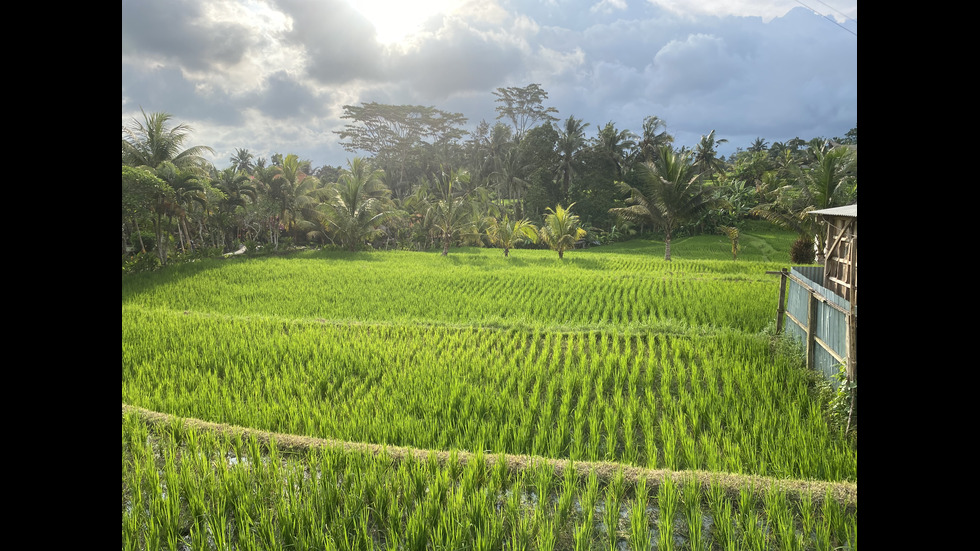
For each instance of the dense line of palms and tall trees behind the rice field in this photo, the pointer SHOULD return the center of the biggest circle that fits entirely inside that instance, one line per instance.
(424, 183)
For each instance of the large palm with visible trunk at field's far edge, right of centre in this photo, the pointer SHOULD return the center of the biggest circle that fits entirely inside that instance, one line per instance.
(669, 194)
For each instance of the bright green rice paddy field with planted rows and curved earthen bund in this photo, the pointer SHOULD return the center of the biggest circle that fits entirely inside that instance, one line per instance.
(408, 401)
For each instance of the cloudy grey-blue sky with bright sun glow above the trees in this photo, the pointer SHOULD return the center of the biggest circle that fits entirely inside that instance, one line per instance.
(272, 76)
